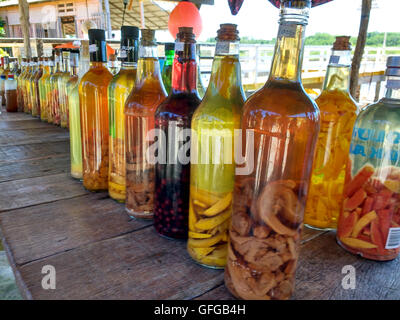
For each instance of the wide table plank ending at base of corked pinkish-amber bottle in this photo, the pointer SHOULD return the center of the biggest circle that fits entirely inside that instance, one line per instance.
(68, 224)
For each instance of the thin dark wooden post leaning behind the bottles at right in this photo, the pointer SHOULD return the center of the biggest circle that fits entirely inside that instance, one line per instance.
(358, 53)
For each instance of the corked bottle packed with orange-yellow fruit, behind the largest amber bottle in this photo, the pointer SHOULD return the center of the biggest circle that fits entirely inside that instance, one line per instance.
(338, 113)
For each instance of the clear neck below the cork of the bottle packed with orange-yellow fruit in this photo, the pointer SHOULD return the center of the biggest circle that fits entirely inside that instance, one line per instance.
(338, 72)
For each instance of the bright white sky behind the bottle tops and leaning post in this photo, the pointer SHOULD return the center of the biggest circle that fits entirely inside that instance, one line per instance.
(258, 18)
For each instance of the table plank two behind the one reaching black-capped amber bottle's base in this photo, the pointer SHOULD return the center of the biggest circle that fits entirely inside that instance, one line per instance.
(33, 151)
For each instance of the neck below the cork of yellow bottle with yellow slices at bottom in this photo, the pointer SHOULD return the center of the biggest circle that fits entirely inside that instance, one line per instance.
(226, 77)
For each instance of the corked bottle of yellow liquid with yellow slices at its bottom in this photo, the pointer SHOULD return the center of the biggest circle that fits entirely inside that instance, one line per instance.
(212, 169)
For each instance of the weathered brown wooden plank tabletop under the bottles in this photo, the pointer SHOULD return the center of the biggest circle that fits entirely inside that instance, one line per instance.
(48, 218)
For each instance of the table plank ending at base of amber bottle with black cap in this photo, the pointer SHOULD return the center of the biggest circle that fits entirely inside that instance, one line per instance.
(27, 192)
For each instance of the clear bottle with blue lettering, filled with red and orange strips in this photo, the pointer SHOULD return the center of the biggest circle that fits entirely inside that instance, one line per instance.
(369, 223)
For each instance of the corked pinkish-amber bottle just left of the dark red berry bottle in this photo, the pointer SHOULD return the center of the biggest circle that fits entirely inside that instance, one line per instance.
(140, 107)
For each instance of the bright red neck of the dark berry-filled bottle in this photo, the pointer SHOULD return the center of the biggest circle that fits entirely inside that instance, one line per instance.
(184, 68)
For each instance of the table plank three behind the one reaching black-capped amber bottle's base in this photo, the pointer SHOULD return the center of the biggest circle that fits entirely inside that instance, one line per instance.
(29, 136)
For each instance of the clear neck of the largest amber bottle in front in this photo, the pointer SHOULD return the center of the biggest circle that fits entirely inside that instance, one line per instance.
(288, 56)
